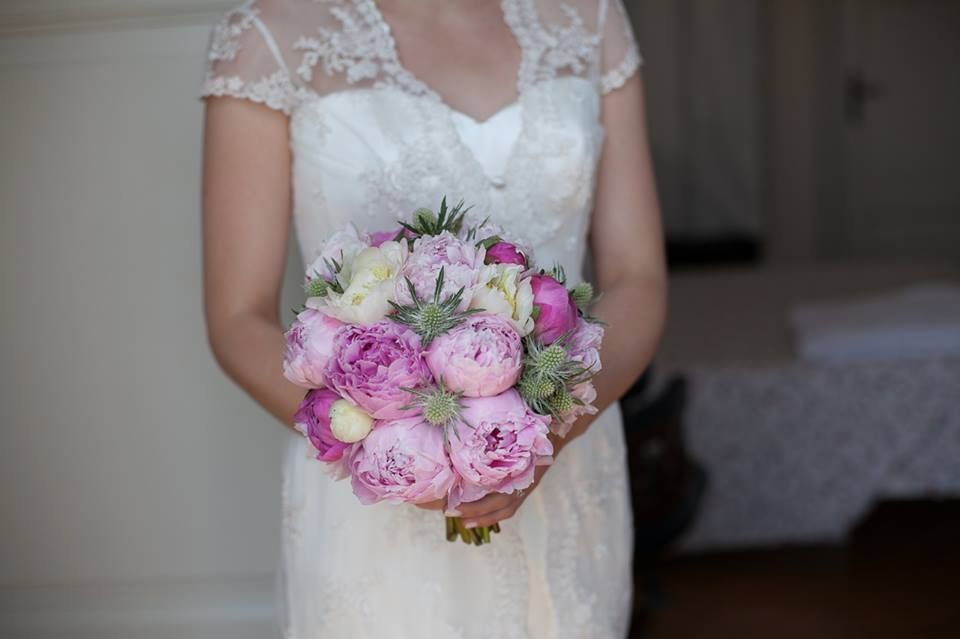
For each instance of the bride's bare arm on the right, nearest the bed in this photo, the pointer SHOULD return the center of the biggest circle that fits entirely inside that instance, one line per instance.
(627, 243)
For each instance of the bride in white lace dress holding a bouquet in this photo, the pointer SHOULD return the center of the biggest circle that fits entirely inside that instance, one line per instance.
(329, 111)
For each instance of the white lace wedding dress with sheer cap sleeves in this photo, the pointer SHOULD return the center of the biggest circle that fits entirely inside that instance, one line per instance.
(371, 142)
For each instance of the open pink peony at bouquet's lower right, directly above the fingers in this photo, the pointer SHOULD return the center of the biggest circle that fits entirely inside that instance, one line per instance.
(497, 446)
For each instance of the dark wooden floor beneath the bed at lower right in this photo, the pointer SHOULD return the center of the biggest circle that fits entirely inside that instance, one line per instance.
(899, 577)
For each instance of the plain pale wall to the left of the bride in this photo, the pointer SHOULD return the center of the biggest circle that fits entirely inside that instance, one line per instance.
(139, 488)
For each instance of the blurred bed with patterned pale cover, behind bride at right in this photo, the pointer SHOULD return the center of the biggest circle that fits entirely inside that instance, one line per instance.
(797, 450)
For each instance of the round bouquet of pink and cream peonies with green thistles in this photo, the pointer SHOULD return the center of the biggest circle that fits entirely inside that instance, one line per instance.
(438, 358)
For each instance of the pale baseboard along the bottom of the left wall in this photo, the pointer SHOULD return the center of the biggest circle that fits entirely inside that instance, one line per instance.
(241, 608)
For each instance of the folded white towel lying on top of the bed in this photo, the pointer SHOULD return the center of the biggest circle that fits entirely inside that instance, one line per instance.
(914, 323)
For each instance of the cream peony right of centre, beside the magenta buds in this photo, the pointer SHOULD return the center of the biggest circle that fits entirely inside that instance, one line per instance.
(503, 291)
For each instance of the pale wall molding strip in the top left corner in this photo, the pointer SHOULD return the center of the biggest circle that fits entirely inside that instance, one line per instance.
(25, 17)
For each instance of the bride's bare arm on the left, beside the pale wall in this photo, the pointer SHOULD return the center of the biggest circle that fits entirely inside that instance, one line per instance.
(246, 213)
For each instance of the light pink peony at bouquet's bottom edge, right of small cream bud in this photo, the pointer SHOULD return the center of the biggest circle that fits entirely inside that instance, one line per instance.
(401, 461)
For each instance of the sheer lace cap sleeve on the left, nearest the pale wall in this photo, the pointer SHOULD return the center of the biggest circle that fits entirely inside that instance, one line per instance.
(244, 61)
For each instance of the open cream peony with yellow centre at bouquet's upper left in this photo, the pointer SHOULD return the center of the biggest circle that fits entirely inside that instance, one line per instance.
(368, 282)
